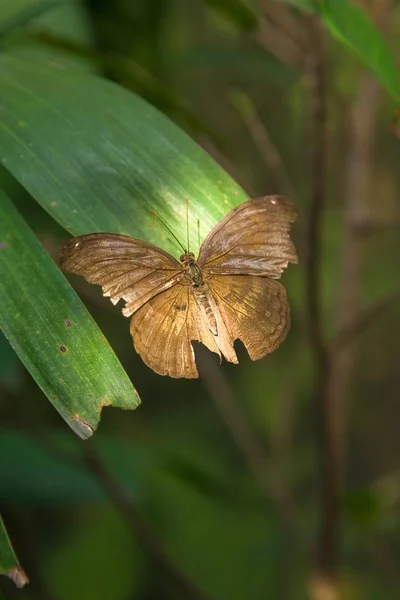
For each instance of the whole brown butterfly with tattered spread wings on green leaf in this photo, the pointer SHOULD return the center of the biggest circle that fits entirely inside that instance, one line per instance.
(228, 293)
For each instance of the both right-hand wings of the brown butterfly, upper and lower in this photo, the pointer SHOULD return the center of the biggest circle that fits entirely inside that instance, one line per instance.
(241, 258)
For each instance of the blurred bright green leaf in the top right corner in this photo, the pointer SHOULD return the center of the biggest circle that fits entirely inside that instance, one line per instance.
(350, 25)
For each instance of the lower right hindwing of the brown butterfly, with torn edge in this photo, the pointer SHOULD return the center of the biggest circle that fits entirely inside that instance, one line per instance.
(252, 309)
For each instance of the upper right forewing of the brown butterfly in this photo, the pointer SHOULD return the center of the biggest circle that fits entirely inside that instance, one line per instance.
(252, 239)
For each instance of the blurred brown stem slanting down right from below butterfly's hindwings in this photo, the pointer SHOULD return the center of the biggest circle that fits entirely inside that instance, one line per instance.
(264, 472)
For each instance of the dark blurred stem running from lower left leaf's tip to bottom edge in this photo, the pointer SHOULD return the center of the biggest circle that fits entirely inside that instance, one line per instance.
(139, 526)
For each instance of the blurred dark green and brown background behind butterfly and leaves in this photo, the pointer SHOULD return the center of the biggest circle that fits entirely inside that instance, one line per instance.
(275, 479)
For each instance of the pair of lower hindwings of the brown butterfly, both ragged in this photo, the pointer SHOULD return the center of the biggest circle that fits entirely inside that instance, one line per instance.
(250, 308)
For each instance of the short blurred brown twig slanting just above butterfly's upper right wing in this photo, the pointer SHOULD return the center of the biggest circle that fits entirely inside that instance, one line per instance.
(272, 159)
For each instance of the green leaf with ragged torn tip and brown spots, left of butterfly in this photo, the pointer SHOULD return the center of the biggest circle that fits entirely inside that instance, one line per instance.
(52, 332)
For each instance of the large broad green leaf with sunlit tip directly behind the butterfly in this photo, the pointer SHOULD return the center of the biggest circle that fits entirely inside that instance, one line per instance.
(98, 158)
